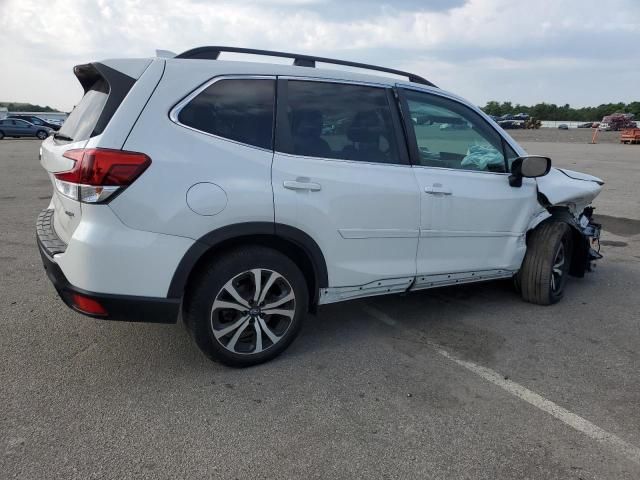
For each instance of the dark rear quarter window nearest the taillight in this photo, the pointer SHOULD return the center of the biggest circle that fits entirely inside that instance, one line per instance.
(240, 110)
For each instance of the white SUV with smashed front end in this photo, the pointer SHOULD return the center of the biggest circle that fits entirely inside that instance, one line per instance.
(243, 195)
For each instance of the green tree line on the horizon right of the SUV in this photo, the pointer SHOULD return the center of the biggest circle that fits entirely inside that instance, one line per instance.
(551, 111)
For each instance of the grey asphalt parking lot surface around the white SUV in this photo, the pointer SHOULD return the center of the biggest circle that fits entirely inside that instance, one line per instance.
(467, 382)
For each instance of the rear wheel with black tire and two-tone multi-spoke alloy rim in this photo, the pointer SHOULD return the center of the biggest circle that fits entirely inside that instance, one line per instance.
(247, 307)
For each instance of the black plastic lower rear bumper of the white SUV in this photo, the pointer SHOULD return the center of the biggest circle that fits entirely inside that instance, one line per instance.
(119, 307)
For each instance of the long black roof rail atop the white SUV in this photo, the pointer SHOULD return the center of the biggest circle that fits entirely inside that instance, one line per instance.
(212, 53)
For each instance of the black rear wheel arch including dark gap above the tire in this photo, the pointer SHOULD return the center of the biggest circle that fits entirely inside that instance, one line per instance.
(290, 241)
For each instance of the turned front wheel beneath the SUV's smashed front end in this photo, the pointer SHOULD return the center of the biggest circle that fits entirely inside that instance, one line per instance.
(545, 268)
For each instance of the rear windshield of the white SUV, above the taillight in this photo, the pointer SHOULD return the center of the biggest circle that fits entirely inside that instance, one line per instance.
(82, 121)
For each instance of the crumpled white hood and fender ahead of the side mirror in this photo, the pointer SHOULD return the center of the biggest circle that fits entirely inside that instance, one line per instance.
(564, 187)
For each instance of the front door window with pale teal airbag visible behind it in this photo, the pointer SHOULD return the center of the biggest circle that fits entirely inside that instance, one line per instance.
(451, 135)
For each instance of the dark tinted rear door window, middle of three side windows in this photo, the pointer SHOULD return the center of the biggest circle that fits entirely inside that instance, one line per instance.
(332, 120)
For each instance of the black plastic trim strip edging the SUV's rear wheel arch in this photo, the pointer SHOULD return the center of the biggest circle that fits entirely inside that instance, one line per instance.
(216, 237)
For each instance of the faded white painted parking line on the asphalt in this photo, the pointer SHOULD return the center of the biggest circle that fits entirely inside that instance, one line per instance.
(578, 423)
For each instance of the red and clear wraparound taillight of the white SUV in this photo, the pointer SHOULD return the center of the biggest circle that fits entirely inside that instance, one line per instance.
(99, 172)
